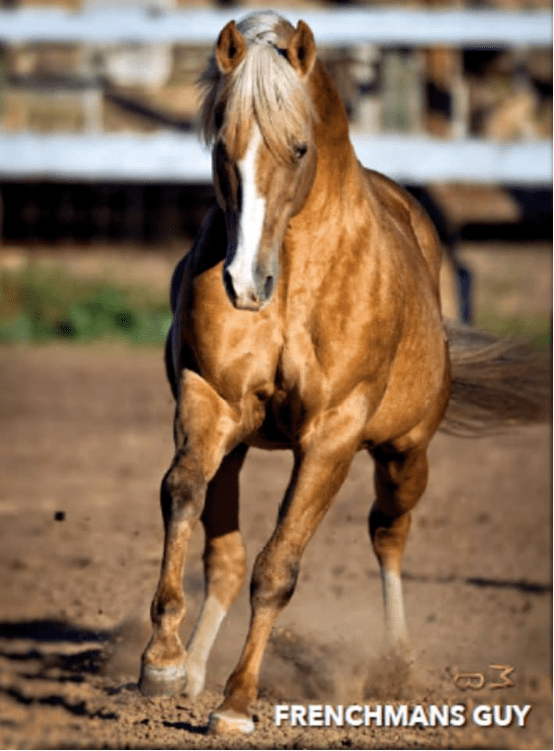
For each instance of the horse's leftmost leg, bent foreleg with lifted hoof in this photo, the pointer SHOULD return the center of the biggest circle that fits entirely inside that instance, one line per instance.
(204, 425)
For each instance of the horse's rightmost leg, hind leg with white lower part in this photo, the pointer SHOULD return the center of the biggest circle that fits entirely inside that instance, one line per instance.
(399, 483)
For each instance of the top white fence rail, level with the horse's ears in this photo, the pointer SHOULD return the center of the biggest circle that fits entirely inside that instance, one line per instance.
(385, 27)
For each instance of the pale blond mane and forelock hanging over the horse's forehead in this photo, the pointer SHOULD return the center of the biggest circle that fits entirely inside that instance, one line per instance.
(263, 88)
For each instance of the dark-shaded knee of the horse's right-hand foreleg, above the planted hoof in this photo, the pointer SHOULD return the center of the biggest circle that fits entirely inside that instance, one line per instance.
(273, 581)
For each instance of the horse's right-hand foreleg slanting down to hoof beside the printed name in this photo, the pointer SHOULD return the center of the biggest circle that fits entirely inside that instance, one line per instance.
(316, 478)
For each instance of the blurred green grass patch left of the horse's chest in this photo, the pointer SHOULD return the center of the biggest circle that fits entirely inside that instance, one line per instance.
(41, 303)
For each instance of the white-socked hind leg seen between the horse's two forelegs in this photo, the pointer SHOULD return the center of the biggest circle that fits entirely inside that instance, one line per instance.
(224, 565)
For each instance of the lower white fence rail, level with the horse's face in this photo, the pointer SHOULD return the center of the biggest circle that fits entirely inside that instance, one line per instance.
(181, 158)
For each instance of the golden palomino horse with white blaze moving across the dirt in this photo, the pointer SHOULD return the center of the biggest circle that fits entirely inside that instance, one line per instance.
(307, 316)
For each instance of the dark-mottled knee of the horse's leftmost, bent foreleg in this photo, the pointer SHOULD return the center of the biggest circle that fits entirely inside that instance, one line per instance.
(183, 490)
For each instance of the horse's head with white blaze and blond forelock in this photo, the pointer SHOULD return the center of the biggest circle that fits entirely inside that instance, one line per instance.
(258, 115)
